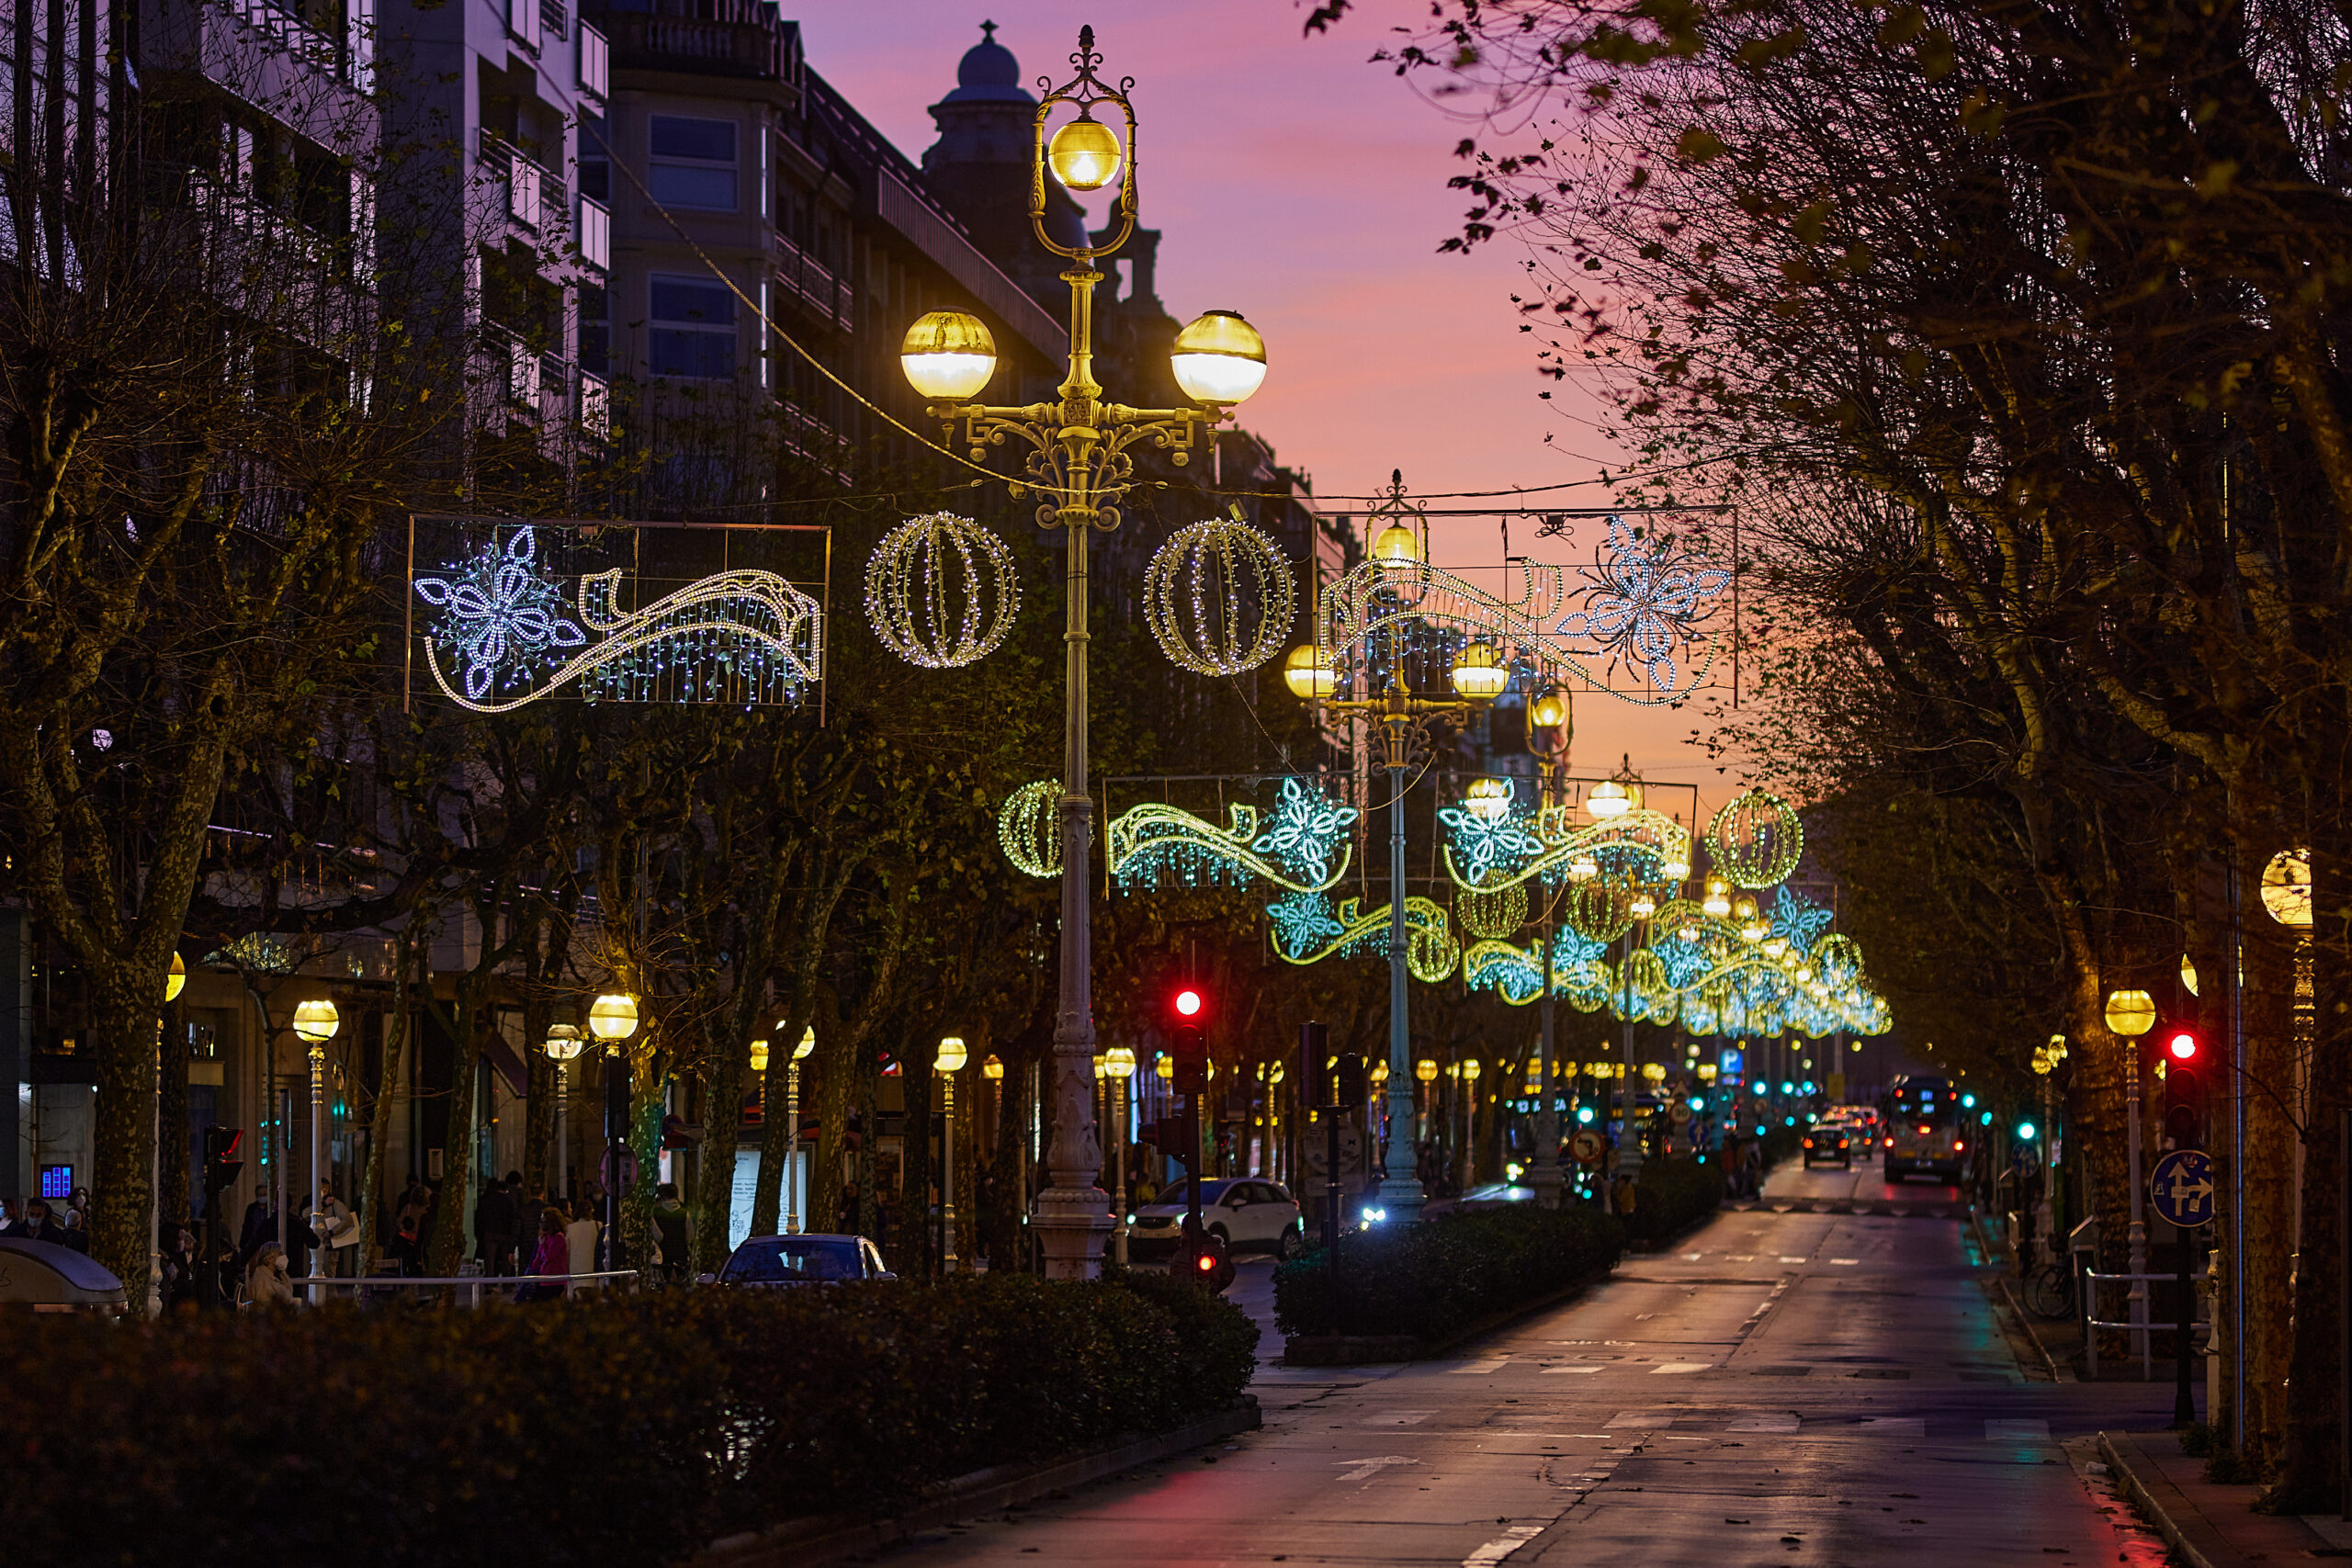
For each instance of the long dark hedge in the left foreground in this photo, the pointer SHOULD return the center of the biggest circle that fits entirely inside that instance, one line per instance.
(622, 1430)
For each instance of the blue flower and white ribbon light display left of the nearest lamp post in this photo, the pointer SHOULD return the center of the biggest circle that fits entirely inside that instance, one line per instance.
(728, 638)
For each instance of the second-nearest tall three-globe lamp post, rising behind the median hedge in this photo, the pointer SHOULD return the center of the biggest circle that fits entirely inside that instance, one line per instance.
(1405, 716)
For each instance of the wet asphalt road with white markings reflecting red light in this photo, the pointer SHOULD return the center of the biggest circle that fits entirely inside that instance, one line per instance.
(1779, 1388)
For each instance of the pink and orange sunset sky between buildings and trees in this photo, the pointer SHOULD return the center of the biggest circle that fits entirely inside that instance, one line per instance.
(1307, 189)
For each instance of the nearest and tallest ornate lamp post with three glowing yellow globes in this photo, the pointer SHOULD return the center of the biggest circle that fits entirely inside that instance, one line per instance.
(1081, 464)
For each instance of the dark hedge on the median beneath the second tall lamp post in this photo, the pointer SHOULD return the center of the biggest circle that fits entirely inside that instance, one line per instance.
(1434, 1280)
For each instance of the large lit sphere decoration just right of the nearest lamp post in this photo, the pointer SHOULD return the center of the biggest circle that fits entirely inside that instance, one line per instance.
(1220, 598)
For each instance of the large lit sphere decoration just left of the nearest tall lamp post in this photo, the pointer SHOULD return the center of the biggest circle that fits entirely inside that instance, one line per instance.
(942, 591)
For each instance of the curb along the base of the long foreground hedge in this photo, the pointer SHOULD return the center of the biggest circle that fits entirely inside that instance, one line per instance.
(829, 1539)
